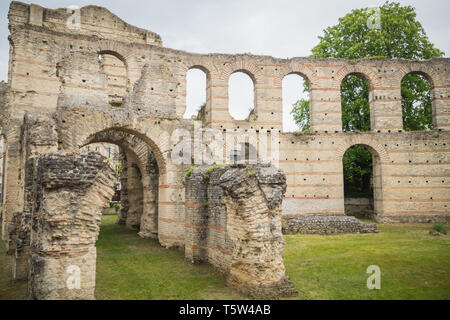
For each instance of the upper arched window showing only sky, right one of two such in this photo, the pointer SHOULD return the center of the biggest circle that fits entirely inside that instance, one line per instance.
(241, 95)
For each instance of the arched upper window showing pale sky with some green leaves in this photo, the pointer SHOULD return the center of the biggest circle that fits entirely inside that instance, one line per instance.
(296, 115)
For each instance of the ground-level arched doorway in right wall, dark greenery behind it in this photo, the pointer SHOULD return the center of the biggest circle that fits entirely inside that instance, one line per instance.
(358, 182)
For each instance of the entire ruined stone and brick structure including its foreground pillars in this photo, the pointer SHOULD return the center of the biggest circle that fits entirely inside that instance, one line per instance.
(105, 81)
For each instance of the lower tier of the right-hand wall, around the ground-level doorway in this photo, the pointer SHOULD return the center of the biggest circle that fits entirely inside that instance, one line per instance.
(410, 173)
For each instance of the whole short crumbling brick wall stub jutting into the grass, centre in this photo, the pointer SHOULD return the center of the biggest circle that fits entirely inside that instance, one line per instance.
(233, 221)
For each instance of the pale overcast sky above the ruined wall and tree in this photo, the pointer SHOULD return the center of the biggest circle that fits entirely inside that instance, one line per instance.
(281, 28)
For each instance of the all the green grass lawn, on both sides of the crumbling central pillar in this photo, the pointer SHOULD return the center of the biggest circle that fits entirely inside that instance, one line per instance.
(414, 265)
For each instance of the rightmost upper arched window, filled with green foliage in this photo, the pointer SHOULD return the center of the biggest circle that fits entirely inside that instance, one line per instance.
(417, 107)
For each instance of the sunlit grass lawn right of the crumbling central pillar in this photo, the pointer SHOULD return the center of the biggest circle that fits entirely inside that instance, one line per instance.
(414, 265)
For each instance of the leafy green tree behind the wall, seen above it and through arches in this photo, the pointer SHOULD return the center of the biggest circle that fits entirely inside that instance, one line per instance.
(400, 36)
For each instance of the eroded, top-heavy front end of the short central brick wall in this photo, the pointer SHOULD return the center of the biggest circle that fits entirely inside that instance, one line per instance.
(253, 198)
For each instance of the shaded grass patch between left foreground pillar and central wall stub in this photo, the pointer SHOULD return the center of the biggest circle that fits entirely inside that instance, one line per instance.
(129, 267)
